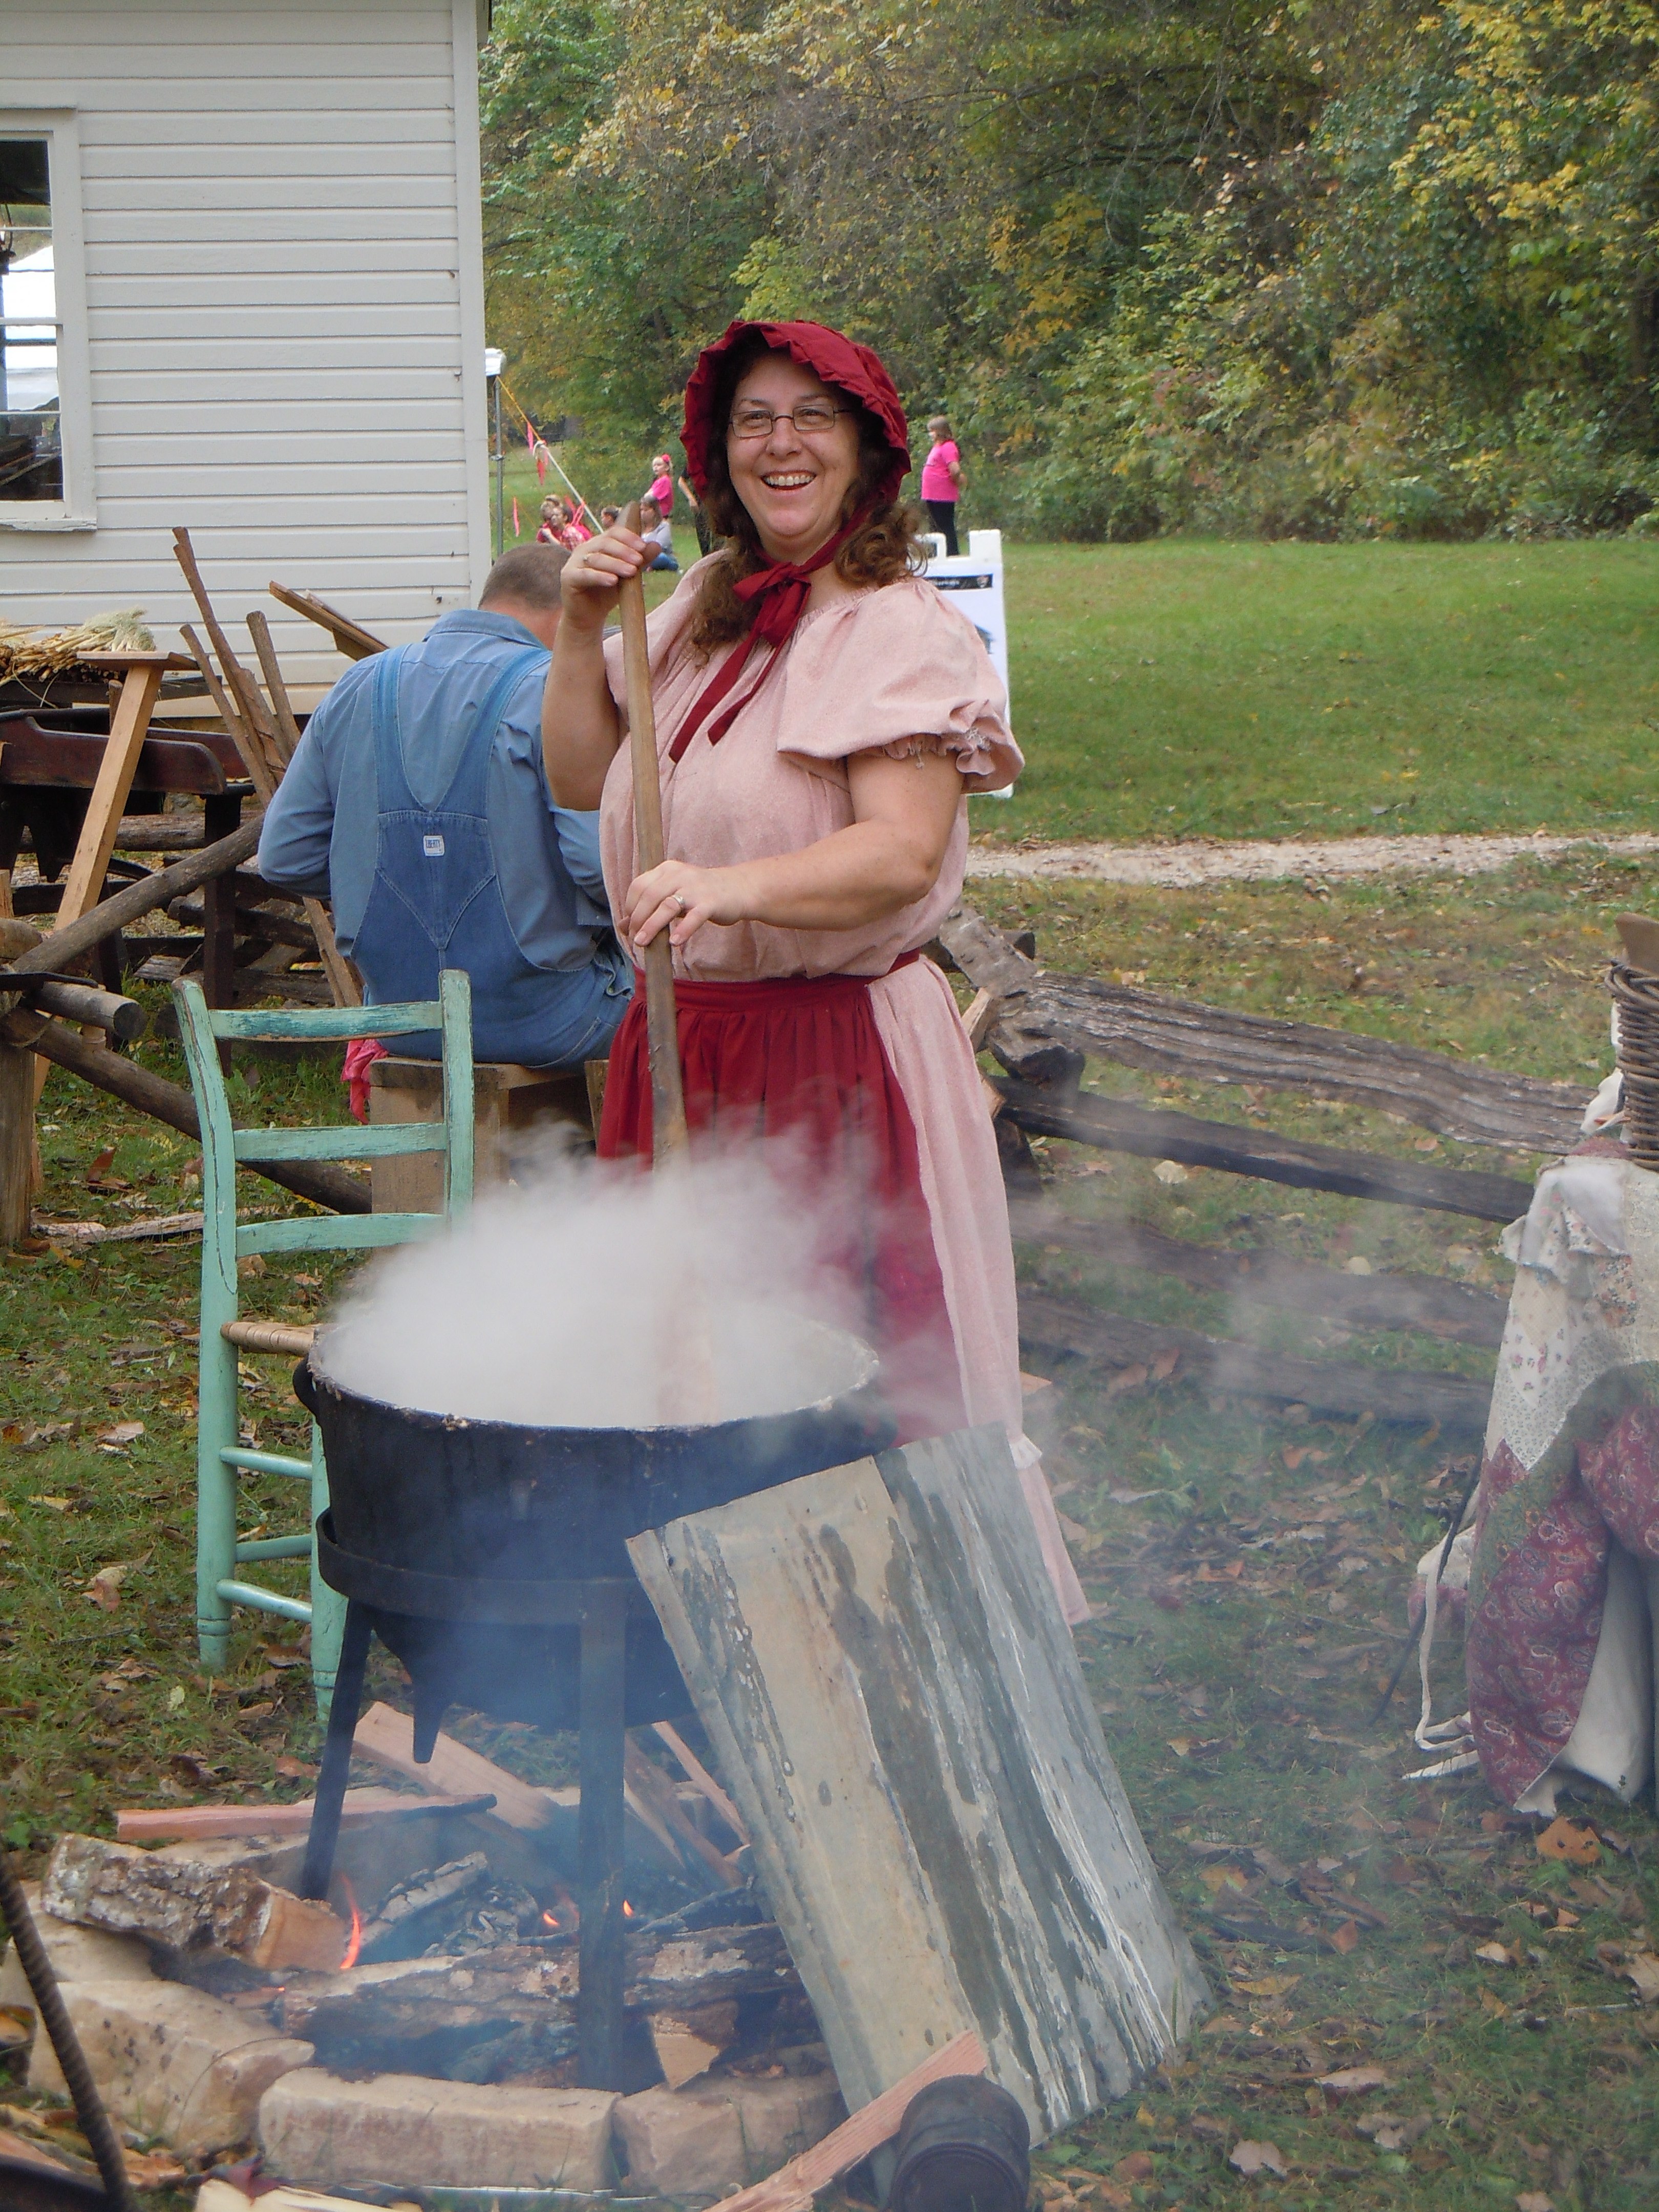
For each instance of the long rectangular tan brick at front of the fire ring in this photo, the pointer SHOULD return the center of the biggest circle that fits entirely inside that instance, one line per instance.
(406, 2131)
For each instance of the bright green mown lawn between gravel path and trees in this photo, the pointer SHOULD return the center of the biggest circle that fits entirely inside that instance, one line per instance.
(1202, 689)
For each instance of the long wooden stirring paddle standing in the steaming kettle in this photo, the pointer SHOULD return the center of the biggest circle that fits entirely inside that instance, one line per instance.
(689, 1392)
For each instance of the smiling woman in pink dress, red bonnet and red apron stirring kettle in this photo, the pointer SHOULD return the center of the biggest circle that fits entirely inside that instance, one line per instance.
(822, 718)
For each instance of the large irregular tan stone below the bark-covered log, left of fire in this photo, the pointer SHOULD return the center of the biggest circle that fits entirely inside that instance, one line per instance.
(171, 2060)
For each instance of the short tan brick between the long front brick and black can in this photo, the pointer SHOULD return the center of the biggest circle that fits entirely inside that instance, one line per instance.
(722, 2133)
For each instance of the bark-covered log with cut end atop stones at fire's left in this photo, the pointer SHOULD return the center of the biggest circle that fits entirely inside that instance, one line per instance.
(187, 1906)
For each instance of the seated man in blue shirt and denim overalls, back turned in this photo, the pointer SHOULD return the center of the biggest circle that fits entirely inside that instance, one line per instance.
(419, 804)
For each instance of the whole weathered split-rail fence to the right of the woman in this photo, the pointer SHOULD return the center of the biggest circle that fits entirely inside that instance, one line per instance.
(1043, 1027)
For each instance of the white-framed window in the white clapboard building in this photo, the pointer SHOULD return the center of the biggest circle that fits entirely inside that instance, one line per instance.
(45, 432)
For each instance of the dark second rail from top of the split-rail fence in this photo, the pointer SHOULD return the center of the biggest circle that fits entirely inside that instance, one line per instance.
(1156, 1134)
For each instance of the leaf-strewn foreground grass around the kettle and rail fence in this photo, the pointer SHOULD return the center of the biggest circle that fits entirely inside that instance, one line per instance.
(1235, 1658)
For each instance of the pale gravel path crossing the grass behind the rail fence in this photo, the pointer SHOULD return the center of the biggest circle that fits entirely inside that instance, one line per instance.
(1262, 859)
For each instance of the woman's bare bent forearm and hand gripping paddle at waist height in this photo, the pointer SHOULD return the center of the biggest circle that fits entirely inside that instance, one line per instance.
(886, 859)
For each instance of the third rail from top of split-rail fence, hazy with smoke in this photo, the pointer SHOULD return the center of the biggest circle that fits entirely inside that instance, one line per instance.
(1264, 1277)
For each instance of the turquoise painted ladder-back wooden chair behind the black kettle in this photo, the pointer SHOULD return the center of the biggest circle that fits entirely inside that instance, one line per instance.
(220, 1452)
